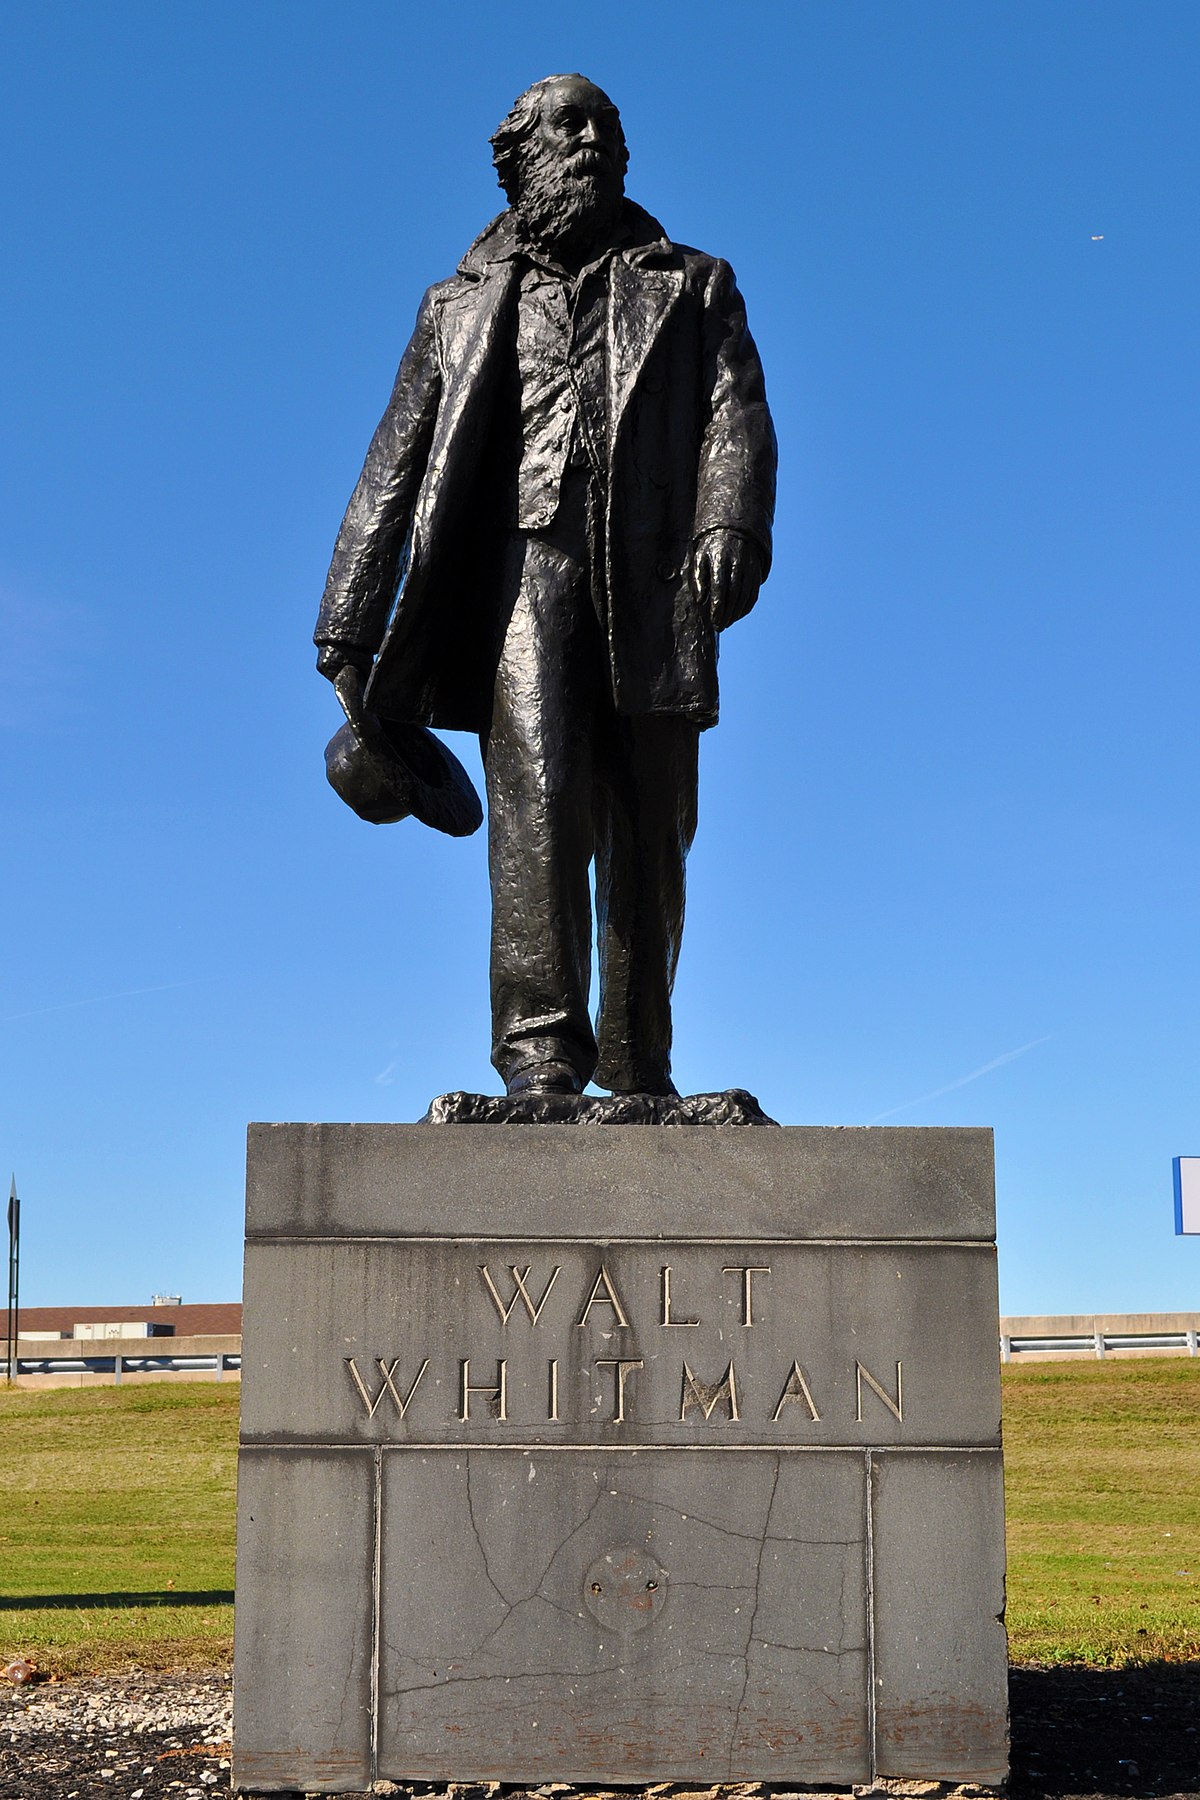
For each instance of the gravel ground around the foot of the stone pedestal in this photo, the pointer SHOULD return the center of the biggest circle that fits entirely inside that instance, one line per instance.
(1079, 1734)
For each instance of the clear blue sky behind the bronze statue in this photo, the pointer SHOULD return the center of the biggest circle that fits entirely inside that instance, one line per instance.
(949, 867)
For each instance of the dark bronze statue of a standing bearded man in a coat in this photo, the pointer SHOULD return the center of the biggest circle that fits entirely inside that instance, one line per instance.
(569, 496)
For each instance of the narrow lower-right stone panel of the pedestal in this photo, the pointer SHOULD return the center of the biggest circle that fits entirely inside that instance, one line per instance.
(940, 1644)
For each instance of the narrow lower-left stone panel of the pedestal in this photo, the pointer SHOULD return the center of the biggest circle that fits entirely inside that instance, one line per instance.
(303, 1666)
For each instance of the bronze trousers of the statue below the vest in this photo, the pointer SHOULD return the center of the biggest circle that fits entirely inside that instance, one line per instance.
(571, 782)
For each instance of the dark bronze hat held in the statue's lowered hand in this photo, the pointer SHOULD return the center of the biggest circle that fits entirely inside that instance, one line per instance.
(388, 771)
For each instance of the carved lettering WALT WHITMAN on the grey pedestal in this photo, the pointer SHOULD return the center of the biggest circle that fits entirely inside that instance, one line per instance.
(712, 1390)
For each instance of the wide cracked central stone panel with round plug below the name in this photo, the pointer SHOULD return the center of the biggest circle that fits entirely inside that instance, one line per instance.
(632, 1619)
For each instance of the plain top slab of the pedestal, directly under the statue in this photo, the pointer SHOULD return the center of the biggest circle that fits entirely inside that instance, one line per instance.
(809, 1182)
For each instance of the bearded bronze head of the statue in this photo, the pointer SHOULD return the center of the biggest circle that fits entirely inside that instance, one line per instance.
(560, 159)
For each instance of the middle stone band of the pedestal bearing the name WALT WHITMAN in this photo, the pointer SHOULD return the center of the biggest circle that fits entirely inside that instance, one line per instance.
(834, 1309)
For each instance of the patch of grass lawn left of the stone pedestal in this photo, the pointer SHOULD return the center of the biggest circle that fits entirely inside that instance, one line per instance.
(118, 1525)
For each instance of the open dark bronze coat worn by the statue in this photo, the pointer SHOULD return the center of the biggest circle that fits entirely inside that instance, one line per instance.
(690, 447)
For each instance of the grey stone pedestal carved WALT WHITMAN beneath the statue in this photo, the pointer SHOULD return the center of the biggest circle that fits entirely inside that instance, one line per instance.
(620, 1455)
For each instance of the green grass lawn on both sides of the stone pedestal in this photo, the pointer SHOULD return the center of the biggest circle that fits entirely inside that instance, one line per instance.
(118, 1529)
